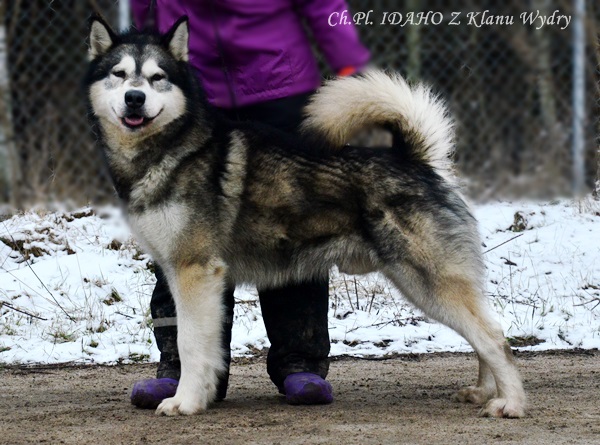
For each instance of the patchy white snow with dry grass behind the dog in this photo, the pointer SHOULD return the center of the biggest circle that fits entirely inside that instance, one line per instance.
(74, 287)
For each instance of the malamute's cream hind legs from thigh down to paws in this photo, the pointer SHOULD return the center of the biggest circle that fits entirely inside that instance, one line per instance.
(457, 301)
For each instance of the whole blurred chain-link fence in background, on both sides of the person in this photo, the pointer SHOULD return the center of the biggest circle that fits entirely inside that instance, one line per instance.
(511, 87)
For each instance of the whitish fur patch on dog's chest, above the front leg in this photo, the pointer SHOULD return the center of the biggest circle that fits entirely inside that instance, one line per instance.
(160, 229)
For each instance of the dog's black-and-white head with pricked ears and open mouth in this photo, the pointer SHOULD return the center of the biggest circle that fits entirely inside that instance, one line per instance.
(136, 81)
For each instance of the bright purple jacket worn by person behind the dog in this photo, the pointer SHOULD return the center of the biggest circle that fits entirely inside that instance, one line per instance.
(250, 51)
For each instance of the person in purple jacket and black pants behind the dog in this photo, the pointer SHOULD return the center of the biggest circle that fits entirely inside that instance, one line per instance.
(255, 62)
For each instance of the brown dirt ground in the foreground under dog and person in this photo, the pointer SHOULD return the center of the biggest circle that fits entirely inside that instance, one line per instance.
(405, 400)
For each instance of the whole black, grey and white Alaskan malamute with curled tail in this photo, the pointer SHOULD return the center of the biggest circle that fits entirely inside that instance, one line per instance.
(217, 203)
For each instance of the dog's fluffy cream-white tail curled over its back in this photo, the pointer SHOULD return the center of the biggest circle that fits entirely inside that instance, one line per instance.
(345, 106)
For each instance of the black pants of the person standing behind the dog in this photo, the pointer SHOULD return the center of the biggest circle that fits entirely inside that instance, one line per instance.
(295, 316)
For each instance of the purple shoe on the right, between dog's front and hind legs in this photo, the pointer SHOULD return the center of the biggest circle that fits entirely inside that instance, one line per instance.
(305, 388)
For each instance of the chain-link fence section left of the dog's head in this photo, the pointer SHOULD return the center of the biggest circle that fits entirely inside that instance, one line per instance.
(49, 149)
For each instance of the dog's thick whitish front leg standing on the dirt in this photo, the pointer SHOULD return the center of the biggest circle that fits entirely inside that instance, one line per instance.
(198, 293)
